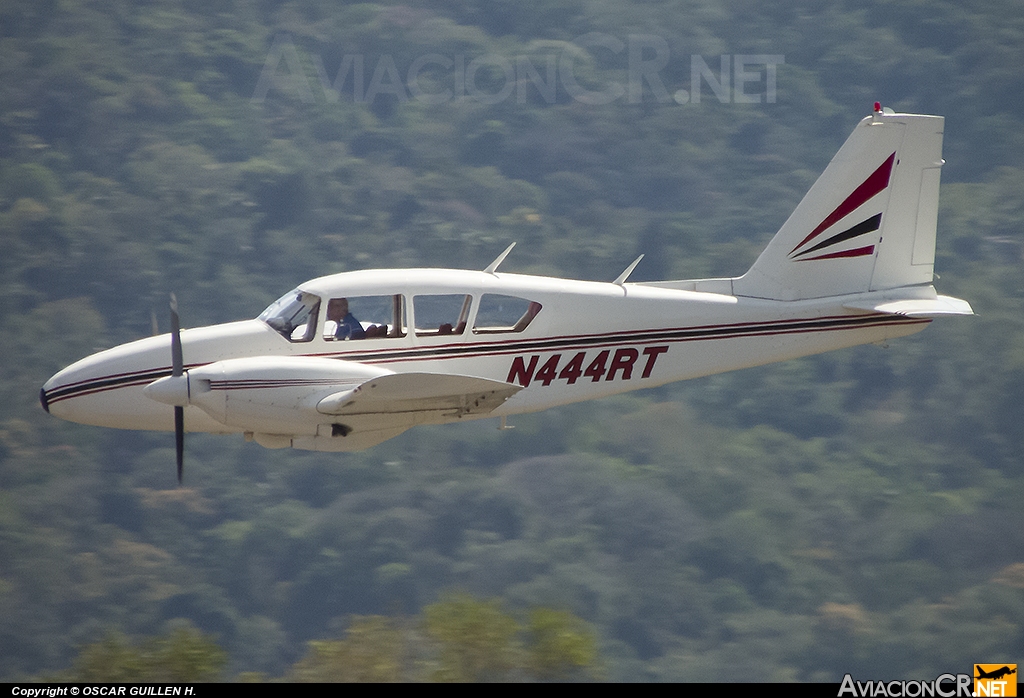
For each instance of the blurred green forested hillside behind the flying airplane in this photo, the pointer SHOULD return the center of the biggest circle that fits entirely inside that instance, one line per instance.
(856, 512)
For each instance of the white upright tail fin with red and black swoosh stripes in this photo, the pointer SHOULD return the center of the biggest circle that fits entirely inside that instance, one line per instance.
(867, 225)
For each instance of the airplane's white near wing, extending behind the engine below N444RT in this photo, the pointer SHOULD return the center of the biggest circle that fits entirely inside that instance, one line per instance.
(420, 392)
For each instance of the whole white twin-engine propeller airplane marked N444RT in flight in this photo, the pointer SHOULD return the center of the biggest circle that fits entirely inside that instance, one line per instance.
(348, 362)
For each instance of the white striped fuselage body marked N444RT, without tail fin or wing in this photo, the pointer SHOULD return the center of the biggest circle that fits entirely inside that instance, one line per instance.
(588, 340)
